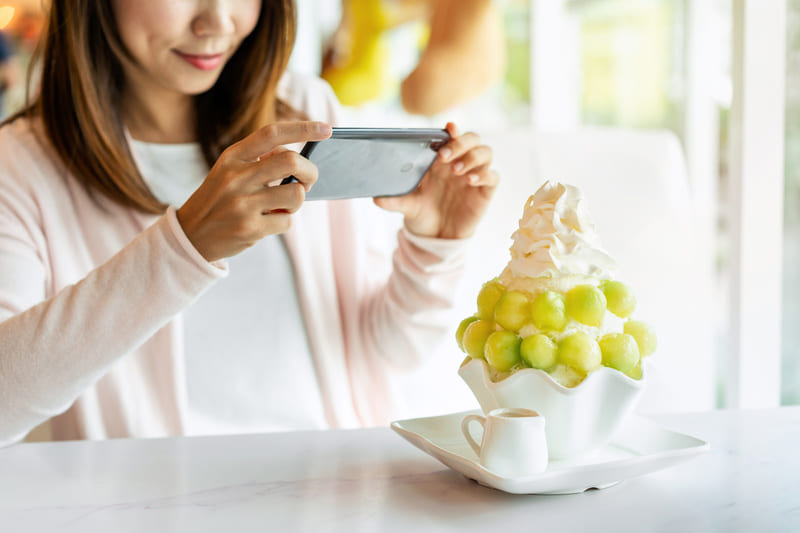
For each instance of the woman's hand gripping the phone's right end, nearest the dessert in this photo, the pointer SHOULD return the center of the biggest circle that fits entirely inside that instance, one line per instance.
(453, 196)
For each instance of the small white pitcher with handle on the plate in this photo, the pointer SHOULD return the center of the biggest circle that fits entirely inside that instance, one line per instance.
(513, 442)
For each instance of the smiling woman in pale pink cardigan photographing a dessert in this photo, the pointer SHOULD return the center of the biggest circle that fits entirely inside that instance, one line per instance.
(244, 309)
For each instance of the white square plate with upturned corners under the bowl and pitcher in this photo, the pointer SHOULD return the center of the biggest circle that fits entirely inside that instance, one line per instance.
(639, 447)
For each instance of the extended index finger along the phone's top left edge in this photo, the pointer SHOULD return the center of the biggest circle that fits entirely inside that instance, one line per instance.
(266, 139)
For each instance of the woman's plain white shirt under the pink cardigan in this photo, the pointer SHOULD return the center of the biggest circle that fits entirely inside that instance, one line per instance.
(248, 362)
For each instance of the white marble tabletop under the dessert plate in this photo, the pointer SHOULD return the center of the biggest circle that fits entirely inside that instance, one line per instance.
(372, 480)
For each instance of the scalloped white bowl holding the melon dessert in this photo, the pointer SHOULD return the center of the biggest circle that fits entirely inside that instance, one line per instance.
(577, 420)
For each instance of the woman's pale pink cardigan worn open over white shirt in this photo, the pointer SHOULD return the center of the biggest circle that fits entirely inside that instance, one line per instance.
(91, 295)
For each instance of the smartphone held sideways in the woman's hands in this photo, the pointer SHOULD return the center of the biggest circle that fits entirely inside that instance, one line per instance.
(370, 162)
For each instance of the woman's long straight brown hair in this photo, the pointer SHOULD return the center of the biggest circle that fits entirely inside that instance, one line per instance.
(82, 80)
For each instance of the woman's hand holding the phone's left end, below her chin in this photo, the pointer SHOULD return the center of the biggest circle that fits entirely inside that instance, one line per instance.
(239, 202)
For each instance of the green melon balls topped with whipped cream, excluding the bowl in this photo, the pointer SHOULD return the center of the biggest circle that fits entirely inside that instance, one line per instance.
(556, 306)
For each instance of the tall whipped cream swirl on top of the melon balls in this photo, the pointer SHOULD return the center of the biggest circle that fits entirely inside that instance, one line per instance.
(556, 237)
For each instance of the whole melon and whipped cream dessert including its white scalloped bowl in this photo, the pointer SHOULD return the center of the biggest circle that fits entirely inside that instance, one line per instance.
(555, 331)
